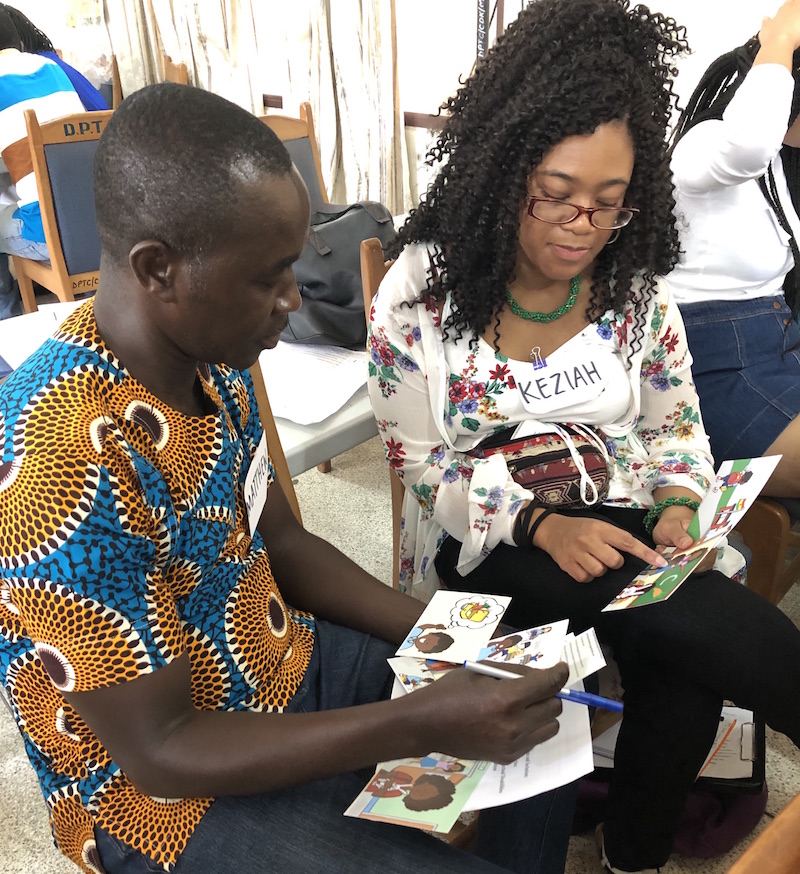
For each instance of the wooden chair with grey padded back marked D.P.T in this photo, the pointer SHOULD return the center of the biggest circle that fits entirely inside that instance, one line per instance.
(62, 152)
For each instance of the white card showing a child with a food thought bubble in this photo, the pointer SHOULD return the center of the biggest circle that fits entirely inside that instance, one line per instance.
(455, 626)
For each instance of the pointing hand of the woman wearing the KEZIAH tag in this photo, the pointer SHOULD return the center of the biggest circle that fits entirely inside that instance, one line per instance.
(587, 548)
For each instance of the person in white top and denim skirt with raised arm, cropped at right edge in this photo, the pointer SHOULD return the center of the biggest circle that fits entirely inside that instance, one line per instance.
(736, 166)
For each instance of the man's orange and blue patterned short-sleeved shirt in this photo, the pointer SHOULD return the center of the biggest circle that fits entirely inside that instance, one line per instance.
(124, 543)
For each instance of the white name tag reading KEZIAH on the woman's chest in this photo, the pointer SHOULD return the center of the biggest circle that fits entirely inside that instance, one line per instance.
(562, 381)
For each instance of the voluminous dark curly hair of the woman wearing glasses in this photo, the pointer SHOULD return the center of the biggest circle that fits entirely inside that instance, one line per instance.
(560, 70)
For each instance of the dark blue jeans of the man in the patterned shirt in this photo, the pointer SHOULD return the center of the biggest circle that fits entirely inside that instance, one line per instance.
(302, 829)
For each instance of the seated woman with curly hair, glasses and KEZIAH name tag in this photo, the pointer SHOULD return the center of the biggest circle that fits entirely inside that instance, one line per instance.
(525, 292)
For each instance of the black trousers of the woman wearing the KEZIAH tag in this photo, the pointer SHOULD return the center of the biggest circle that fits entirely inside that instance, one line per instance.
(713, 639)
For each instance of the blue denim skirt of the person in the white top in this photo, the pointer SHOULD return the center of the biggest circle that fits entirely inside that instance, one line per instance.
(747, 371)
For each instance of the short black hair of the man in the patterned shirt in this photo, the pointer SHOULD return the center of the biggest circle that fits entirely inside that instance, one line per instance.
(168, 167)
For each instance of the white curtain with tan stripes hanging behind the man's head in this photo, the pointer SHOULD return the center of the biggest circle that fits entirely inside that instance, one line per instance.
(340, 56)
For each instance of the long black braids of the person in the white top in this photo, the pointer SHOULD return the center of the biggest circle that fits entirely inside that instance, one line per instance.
(710, 98)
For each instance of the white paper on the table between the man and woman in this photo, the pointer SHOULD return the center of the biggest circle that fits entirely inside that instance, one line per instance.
(306, 384)
